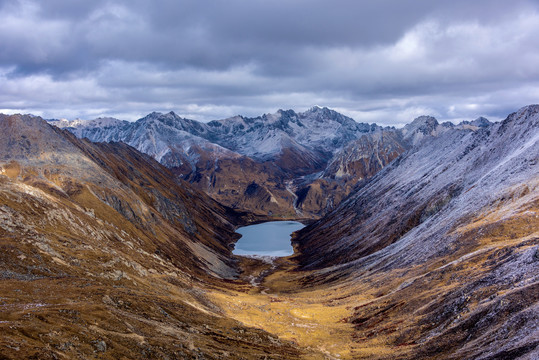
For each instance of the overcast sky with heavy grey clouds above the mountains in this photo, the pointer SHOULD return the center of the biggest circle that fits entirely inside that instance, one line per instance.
(383, 61)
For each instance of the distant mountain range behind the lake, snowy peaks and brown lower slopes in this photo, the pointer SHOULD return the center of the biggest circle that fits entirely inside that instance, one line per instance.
(285, 164)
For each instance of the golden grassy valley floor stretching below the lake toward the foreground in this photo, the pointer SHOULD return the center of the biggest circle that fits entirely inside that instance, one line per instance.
(274, 301)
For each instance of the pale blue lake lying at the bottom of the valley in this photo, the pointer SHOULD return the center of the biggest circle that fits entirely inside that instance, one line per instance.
(267, 239)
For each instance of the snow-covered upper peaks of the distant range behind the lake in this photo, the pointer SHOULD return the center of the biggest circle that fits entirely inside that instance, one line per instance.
(318, 131)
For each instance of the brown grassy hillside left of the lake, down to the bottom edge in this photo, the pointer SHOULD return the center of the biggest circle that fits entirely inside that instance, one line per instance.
(105, 255)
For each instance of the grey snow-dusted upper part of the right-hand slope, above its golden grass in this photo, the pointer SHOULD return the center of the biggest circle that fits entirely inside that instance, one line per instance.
(415, 201)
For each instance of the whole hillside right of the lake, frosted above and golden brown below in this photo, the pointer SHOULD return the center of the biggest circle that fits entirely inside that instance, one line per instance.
(437, 254)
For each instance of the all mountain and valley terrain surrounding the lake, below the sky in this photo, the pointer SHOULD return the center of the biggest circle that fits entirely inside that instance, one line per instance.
(422, 243)
